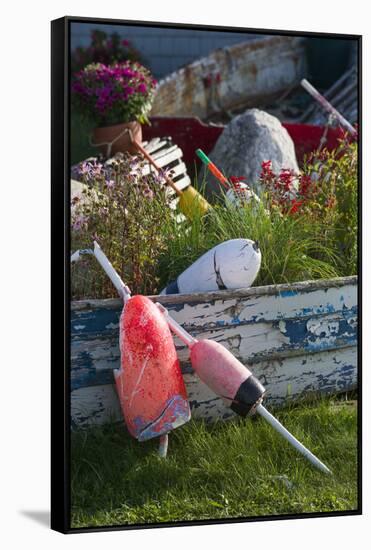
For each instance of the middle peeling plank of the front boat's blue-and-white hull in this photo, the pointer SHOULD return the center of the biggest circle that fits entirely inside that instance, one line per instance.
(93, 356)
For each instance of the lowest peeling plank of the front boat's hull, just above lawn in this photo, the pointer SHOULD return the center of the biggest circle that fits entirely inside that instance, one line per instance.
(288, 380)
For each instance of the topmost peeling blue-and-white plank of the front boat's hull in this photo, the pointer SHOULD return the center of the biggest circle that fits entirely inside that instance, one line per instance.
(224, 308)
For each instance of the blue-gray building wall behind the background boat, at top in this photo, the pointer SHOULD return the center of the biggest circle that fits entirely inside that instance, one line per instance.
(164, 50)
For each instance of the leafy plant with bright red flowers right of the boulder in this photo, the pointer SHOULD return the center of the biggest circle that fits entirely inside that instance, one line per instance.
(325, 194)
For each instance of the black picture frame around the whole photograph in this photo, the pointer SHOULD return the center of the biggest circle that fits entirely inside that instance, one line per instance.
(60, 272)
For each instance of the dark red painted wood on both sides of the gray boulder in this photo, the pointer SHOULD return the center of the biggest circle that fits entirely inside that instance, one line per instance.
(191, 134)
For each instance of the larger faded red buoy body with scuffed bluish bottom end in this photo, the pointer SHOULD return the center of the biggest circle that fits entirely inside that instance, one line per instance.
(149, 383)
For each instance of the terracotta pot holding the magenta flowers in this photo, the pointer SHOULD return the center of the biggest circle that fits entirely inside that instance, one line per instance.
(120, 140)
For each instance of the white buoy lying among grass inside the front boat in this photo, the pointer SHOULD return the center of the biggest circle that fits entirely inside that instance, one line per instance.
(229, 265)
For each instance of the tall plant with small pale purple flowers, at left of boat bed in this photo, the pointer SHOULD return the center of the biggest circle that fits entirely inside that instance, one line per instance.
(122, 210)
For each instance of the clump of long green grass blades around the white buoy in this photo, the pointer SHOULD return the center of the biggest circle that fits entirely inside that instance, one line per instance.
(293, 249)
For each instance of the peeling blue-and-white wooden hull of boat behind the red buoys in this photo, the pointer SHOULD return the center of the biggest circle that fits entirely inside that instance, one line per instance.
(298, 339)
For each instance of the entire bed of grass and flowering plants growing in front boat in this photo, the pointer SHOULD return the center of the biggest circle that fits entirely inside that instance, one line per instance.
(315, 240)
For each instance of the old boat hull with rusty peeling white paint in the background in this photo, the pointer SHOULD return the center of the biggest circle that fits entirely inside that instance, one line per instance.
(248, 74)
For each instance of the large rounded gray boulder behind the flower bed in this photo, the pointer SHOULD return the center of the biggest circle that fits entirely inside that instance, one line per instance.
(247, 141)
